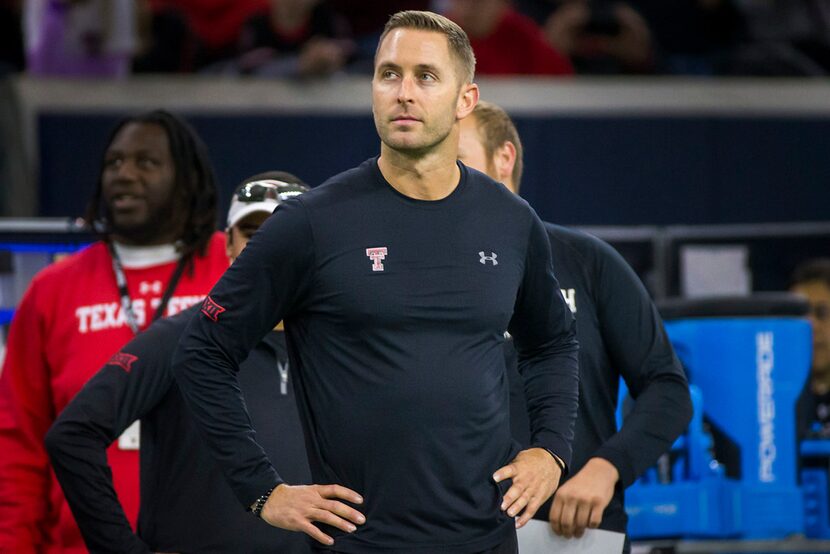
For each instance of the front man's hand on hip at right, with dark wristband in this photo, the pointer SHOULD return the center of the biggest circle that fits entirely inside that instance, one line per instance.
(535, 476)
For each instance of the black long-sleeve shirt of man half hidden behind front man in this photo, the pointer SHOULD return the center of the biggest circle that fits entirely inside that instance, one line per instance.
(620, 334)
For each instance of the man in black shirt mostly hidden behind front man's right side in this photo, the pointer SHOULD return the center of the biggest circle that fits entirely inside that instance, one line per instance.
(620, 335)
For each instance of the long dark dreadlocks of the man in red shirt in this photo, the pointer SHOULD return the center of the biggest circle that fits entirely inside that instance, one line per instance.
(195, 185)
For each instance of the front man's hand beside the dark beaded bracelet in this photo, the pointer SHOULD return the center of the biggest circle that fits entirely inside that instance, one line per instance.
(295, 508)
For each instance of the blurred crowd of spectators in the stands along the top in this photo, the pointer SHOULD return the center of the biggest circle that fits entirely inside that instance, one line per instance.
(314, 38)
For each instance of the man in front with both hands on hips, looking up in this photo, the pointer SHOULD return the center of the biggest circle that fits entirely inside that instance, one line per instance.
(397, 280)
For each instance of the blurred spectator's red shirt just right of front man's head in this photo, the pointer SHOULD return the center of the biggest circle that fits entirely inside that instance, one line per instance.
(517, 47)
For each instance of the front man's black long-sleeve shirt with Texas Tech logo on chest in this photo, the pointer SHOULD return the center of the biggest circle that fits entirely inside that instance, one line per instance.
(395, 312)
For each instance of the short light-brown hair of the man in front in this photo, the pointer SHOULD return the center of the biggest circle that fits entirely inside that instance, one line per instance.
(457, 39)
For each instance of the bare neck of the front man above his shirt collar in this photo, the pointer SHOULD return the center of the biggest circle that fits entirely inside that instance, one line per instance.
(430, 177)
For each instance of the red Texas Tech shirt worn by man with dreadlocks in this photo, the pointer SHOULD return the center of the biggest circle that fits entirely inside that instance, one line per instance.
(66, 327)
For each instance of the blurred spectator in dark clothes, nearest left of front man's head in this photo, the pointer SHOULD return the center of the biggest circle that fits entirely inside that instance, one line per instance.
(303, 38)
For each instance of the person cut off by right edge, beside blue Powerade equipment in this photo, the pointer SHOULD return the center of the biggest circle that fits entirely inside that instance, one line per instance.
(812, 280)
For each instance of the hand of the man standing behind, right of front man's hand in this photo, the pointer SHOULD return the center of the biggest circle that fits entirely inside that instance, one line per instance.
(580, 502)
